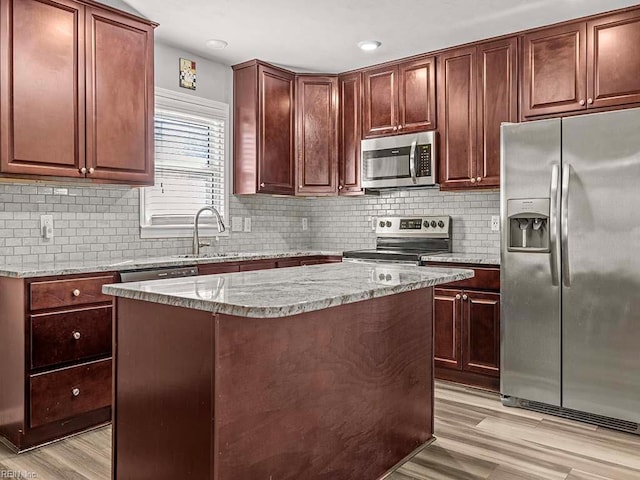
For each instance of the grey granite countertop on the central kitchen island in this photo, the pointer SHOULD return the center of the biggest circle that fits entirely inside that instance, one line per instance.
(286, 291)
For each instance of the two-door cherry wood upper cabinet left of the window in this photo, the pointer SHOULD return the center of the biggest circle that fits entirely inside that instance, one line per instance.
(71, 105)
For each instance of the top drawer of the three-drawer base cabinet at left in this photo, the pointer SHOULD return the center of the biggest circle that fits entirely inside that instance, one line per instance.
(65, 293)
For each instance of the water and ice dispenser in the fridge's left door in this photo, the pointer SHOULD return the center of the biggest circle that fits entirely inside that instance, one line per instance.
(528, 225)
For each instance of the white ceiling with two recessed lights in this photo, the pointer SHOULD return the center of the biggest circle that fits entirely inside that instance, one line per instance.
(321, 36)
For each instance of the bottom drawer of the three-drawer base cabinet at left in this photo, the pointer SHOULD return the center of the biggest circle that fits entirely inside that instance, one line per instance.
(69, 392)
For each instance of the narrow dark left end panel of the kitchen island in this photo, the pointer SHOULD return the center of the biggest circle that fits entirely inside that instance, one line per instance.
(163, 378)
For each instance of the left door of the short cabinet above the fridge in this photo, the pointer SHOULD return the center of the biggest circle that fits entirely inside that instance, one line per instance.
(554, 70)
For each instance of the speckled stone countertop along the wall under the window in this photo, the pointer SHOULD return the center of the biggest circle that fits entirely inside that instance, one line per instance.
(29, 270)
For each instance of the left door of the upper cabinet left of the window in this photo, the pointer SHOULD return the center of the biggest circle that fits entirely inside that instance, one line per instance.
(42, 93)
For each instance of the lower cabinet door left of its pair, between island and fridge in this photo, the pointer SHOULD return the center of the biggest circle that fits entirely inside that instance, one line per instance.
(446, 328)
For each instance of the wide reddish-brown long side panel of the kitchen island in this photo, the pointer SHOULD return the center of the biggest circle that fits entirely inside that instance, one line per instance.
(340, 393)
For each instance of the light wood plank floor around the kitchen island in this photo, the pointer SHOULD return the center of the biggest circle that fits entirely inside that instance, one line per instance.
(477, 438)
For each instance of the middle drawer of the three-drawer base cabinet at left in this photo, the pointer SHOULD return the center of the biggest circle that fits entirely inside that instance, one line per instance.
(70, 335)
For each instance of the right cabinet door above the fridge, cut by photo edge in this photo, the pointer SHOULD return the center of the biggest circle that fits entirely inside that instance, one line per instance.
(613, 62)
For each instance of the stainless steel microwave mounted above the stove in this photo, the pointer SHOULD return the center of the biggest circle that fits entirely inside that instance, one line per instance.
(399, 161)
